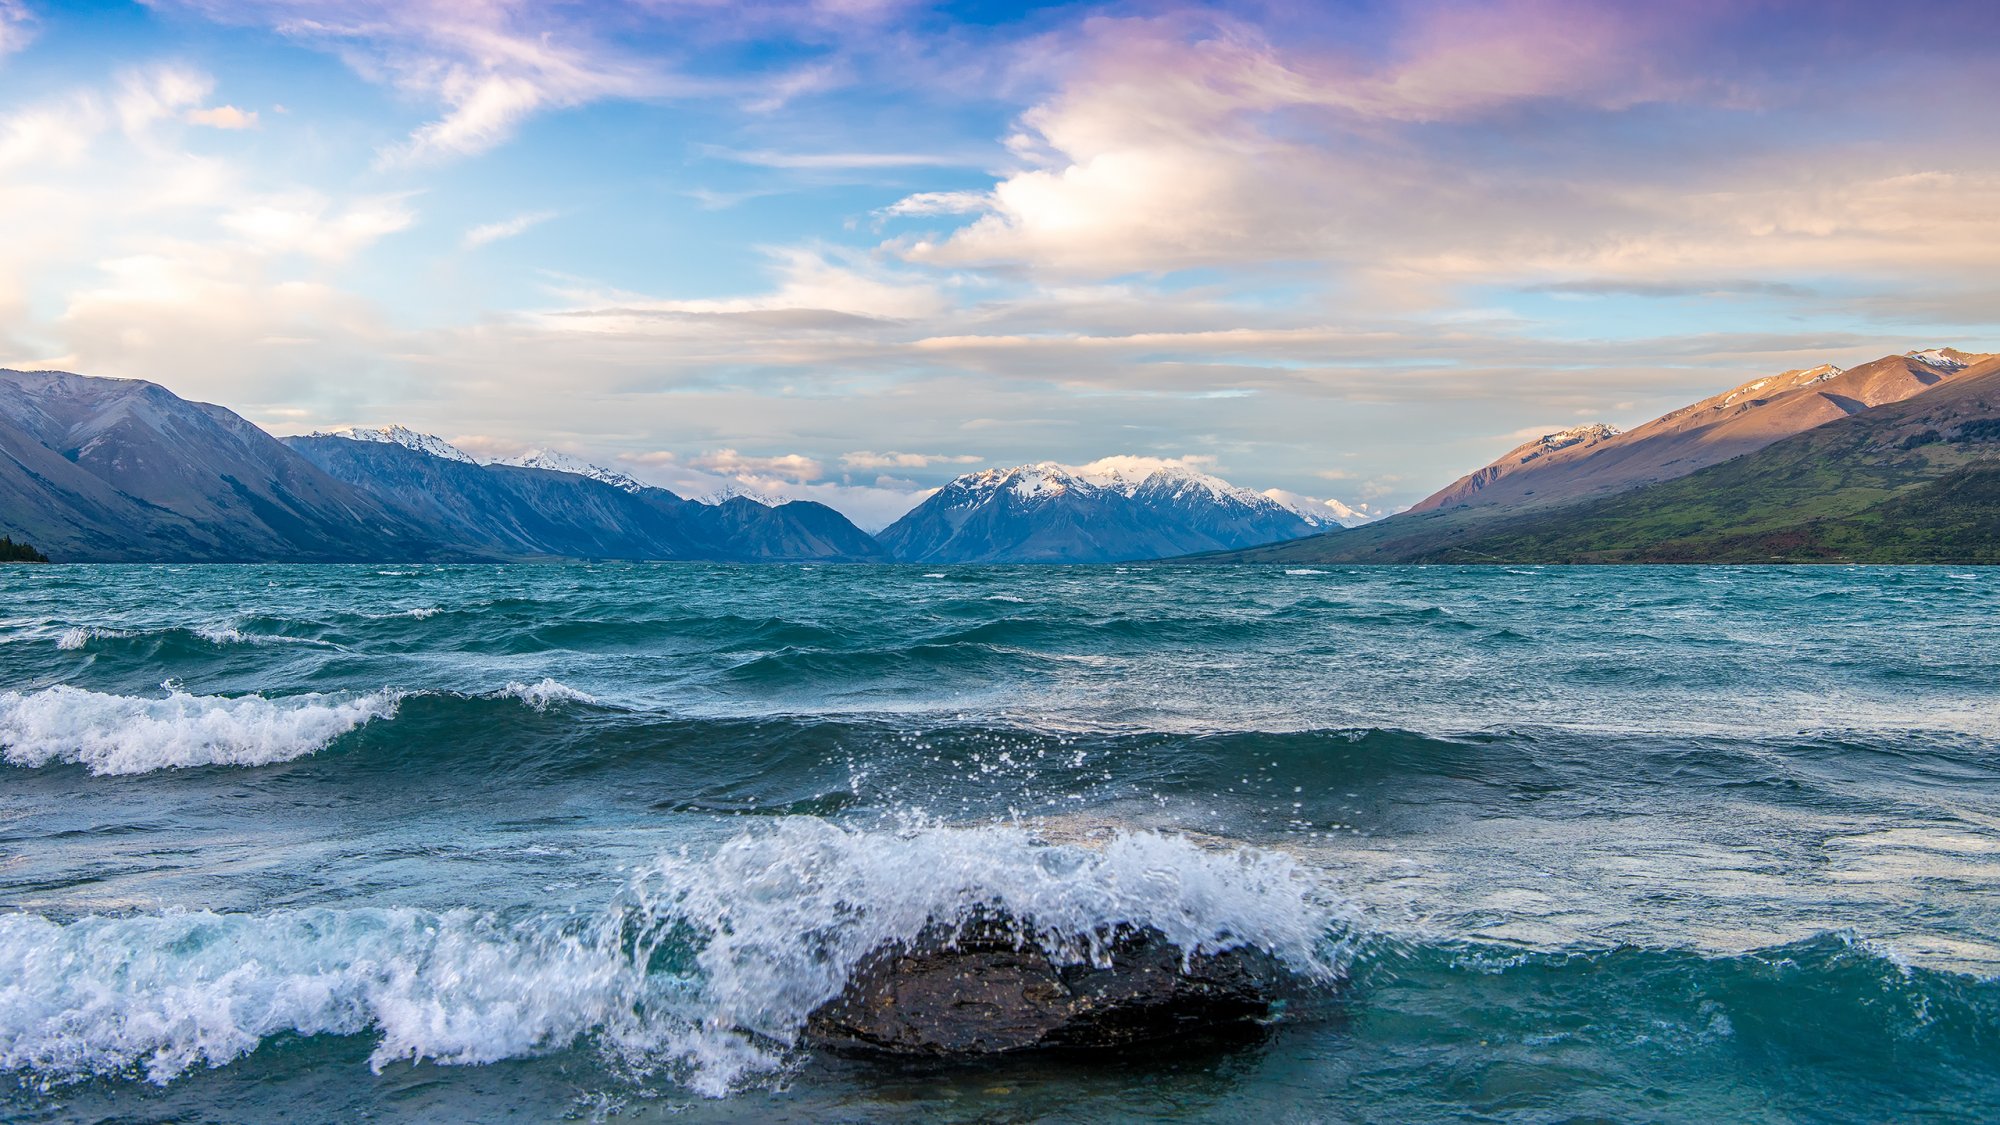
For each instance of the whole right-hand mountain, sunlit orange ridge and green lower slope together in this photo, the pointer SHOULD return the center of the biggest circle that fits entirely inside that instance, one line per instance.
(1893, 461)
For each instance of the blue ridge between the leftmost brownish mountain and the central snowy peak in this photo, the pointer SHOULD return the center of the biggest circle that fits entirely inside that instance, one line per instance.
(537, 513)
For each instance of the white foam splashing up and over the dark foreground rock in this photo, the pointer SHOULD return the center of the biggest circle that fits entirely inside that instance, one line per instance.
(791, 912)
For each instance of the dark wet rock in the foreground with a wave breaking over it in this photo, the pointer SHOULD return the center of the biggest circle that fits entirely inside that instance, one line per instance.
(985, 990)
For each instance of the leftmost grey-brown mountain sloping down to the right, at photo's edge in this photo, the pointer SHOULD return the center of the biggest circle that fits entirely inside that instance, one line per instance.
(119, 469)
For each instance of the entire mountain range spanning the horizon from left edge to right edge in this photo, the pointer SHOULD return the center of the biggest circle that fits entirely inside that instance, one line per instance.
(1891, 461)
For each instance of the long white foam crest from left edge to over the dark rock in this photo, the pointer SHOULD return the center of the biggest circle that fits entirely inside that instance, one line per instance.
(775, 924)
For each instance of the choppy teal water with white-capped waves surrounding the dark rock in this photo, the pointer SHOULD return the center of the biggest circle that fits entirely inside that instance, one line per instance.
(457, 844)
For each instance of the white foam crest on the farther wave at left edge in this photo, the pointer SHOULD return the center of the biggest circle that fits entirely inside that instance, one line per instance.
(123, 736)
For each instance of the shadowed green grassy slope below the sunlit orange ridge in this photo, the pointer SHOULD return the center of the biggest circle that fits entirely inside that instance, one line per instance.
(1881, 487)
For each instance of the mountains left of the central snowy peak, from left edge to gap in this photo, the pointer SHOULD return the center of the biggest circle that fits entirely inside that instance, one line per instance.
(125, 471)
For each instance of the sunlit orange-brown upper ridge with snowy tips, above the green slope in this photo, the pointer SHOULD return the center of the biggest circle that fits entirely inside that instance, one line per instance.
(1599, 461)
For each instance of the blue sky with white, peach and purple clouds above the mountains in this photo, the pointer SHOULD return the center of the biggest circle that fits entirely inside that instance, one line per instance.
(849, 249)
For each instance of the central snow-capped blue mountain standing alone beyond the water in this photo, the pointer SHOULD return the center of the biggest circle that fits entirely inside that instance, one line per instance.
(1107, 511)
